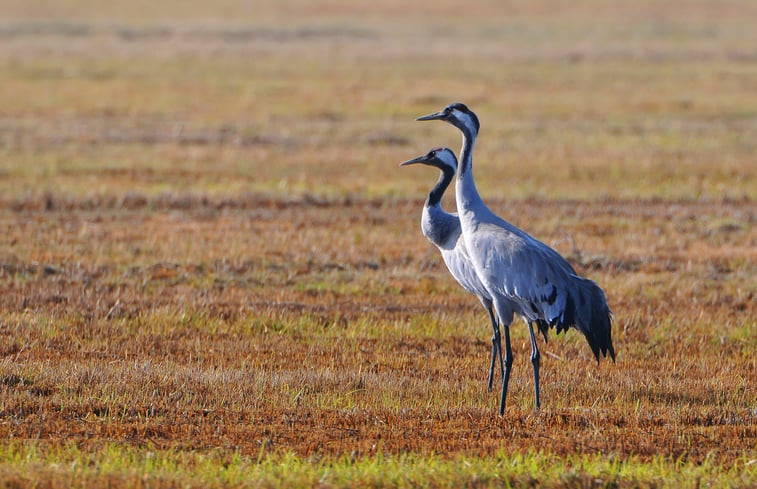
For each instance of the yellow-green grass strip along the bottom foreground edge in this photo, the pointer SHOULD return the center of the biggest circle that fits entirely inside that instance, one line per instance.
(31, 463)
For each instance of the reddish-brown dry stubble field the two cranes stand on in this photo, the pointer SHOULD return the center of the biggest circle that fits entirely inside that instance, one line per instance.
(332, 328)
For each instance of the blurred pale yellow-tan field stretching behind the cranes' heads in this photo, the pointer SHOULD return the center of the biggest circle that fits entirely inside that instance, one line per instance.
(289, 98)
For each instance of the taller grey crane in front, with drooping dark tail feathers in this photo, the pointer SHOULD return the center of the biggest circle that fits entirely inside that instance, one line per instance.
(522, 275)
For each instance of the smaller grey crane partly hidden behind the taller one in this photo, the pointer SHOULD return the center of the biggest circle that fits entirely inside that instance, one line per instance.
(443, 230)
